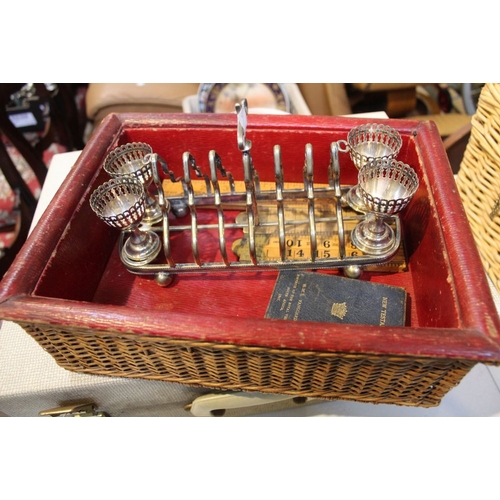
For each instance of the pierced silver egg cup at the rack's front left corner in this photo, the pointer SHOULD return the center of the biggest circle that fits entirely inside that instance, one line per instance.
(120, 203)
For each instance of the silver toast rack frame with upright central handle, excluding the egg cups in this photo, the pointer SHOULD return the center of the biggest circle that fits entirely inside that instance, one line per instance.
(323, 207)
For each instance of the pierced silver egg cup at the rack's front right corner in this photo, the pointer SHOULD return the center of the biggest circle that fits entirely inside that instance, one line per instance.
(386, 187)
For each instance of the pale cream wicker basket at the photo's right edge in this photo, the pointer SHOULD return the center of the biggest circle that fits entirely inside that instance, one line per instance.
(478, 179)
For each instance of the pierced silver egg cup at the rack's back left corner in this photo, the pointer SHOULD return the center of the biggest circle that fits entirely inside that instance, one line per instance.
(135, 160)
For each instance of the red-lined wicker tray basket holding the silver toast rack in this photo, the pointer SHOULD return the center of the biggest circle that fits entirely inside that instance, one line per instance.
(70, 291)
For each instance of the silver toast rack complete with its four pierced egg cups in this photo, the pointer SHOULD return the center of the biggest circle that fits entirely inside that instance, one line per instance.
(215, 224)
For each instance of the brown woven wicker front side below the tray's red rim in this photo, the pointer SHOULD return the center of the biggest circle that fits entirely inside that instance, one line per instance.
(409, 381)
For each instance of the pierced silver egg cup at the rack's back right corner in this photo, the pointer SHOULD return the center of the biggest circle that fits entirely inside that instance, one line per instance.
(366, 143)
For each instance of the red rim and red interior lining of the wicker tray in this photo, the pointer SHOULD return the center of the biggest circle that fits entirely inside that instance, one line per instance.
(69, 277)
